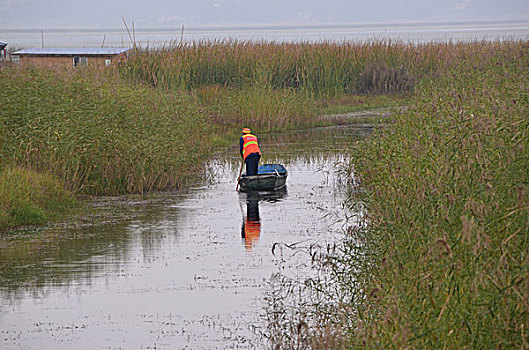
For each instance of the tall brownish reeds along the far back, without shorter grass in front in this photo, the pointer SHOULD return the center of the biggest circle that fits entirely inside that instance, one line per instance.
(317, 69)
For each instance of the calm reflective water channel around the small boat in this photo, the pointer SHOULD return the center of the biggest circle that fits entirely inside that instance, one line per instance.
(180, 270)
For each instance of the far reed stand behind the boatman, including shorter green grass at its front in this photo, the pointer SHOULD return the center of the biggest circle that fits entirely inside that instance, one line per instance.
(278, 86)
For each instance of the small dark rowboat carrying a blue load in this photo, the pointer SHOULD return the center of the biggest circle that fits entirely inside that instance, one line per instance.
(270, 177)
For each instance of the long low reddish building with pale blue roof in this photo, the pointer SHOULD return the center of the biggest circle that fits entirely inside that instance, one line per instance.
(72, 57)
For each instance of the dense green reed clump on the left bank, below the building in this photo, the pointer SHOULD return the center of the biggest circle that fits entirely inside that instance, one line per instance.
(97, 133)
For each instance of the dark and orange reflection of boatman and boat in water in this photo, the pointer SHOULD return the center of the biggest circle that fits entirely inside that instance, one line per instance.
(251, 223)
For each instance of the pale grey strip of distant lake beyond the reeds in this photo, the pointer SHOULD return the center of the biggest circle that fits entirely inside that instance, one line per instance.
(155, 37)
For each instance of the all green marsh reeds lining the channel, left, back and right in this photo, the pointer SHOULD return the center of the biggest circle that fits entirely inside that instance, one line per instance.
(439, 256)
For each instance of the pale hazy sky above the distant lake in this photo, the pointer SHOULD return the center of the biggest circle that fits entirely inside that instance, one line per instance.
(45, 14)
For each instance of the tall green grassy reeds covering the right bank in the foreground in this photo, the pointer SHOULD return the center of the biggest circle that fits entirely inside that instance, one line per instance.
(442, 261)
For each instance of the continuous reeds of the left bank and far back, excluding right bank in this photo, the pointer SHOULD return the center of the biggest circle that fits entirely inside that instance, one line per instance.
(141, 127)
